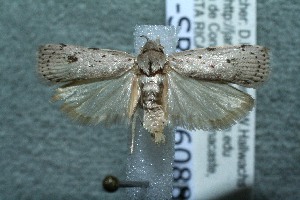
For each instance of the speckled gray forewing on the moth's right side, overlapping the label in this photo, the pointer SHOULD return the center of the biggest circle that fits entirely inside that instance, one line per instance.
(244, 65)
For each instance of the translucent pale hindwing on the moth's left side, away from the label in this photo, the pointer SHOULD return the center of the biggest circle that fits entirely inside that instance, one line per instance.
(107, 101)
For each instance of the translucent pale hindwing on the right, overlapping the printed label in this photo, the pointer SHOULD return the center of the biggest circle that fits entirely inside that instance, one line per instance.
(195, 104)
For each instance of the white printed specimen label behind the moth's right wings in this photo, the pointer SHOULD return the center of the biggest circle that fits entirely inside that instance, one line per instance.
(214, 164)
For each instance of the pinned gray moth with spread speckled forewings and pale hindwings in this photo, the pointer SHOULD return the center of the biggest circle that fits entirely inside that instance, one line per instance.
(191, 89)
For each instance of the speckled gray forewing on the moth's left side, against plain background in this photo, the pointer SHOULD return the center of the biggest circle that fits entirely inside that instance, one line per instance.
(63, 63)
